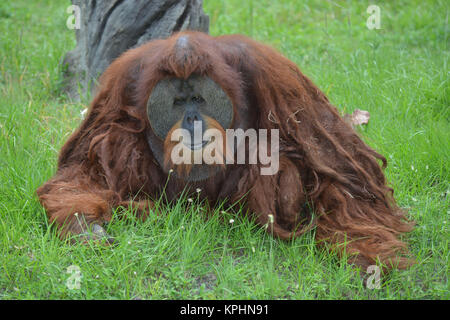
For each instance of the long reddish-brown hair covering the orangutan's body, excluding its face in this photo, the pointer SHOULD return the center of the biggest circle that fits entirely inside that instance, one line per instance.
(328, 178)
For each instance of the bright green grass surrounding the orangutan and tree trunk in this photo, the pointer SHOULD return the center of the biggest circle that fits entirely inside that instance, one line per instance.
(399, 74)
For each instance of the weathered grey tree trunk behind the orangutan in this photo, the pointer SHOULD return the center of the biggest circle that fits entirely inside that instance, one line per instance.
(110, 27)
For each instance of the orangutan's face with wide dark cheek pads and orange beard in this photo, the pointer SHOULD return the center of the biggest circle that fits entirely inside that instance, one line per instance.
(189, 116)
